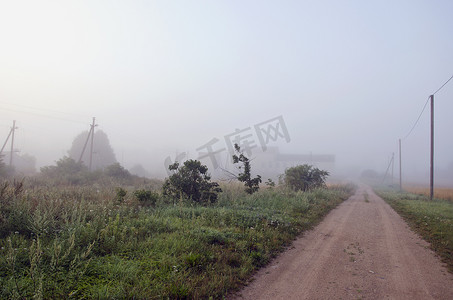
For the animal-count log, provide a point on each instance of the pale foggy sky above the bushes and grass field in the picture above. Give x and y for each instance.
(332, 83)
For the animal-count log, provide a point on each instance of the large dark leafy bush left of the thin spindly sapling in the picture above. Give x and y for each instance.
(191, 181)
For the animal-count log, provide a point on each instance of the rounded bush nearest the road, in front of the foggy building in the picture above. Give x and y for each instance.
(305, 177)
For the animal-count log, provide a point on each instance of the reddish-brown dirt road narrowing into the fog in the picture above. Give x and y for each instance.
(361, 250)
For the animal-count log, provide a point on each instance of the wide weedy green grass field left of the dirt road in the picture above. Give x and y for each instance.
(82, 243)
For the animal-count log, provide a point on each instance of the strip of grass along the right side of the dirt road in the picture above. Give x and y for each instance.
(433, 220)
